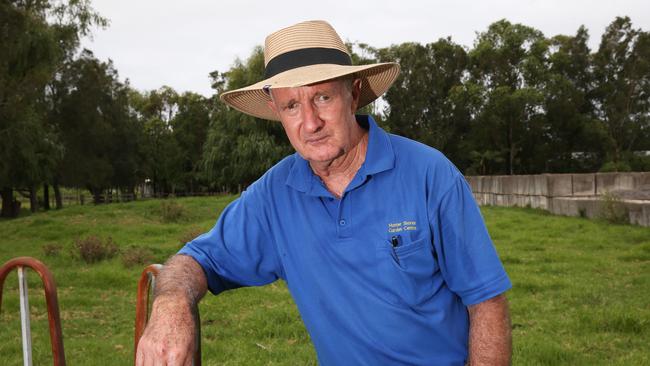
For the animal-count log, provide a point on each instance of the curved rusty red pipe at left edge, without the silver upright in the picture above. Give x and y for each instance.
(56, 335)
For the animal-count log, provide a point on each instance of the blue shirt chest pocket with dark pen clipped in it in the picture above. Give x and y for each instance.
(406, 272)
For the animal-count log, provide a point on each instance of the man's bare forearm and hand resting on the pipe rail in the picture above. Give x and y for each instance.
(169, 338)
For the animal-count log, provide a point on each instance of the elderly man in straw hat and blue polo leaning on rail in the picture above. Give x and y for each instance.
(377, 237)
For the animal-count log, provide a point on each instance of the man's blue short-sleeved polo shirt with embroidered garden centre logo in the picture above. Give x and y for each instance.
(363, 300)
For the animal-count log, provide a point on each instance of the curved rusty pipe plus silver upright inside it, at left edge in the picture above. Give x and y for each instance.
(56, 335)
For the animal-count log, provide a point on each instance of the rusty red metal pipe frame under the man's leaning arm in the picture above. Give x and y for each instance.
(146, 286)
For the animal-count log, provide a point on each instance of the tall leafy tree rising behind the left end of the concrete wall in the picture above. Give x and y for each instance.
(507, 67)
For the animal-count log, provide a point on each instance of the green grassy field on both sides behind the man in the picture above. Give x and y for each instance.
(581, 291)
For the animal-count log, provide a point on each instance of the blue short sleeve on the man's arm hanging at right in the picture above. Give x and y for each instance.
(468, 260)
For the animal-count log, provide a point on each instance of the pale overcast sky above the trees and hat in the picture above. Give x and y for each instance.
(177, 43)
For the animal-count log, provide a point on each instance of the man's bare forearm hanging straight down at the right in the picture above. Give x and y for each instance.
(490, 339)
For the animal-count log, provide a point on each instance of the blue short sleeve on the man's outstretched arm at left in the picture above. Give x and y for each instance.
(238, 251)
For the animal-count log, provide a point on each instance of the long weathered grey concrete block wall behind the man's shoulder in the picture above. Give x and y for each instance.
(567, 194)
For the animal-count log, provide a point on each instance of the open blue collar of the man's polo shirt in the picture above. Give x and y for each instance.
(379, 157)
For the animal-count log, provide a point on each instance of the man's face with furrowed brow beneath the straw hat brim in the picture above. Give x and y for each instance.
(319, 119)
